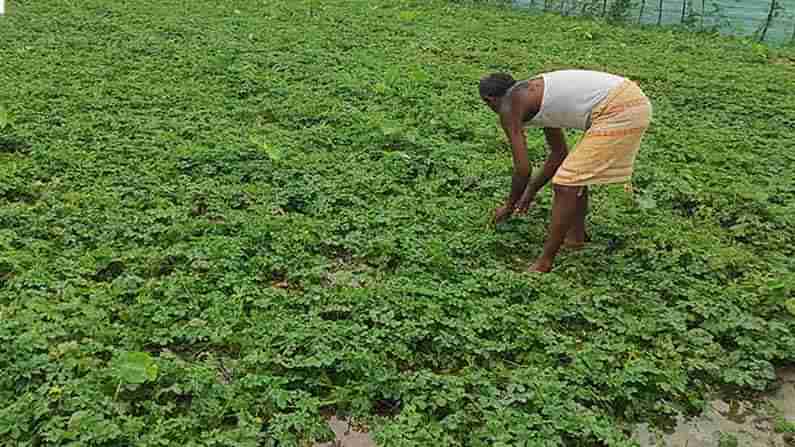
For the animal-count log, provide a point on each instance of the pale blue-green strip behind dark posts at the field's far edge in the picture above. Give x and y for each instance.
(738, 17)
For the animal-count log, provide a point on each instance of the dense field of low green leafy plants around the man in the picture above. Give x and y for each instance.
(222, 221)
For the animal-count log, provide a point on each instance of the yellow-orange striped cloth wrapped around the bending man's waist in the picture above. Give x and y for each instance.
(606, 153)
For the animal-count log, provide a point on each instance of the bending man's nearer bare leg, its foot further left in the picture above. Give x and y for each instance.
(564, 212)
